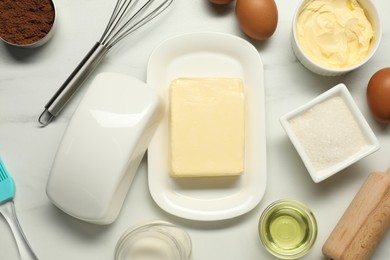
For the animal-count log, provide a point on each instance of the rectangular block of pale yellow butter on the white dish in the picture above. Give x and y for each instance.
(207, 127)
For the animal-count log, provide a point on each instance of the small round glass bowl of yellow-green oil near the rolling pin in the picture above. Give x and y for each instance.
(287, 229)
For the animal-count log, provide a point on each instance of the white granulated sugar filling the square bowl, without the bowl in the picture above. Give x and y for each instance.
(328, 133)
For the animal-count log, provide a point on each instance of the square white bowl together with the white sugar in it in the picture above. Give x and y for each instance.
(329, 133)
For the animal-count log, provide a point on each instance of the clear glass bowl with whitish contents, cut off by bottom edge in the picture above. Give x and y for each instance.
(154, 240)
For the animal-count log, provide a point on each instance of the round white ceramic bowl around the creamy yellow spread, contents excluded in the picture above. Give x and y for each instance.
(317, 68)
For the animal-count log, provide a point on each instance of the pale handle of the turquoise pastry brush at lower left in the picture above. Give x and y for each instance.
(9, 213)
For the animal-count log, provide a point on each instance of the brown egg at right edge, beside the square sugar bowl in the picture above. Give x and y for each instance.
(378, 95)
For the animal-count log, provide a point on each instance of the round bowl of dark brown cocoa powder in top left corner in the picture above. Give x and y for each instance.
(27, 23)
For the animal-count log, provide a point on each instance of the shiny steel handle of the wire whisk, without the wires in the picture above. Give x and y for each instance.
(72, 83)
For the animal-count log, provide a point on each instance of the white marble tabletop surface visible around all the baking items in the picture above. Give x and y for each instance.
(28, 78)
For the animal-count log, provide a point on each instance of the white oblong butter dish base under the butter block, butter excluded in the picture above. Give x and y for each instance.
(209, 55)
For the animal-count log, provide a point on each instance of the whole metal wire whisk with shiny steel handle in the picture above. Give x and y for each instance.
(127, 17)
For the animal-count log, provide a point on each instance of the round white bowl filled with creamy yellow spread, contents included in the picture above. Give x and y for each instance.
(332, 38)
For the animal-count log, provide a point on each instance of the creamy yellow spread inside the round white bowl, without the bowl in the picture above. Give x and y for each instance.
(335, 33)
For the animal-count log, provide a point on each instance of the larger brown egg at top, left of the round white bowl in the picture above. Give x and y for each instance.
(257, 18)
